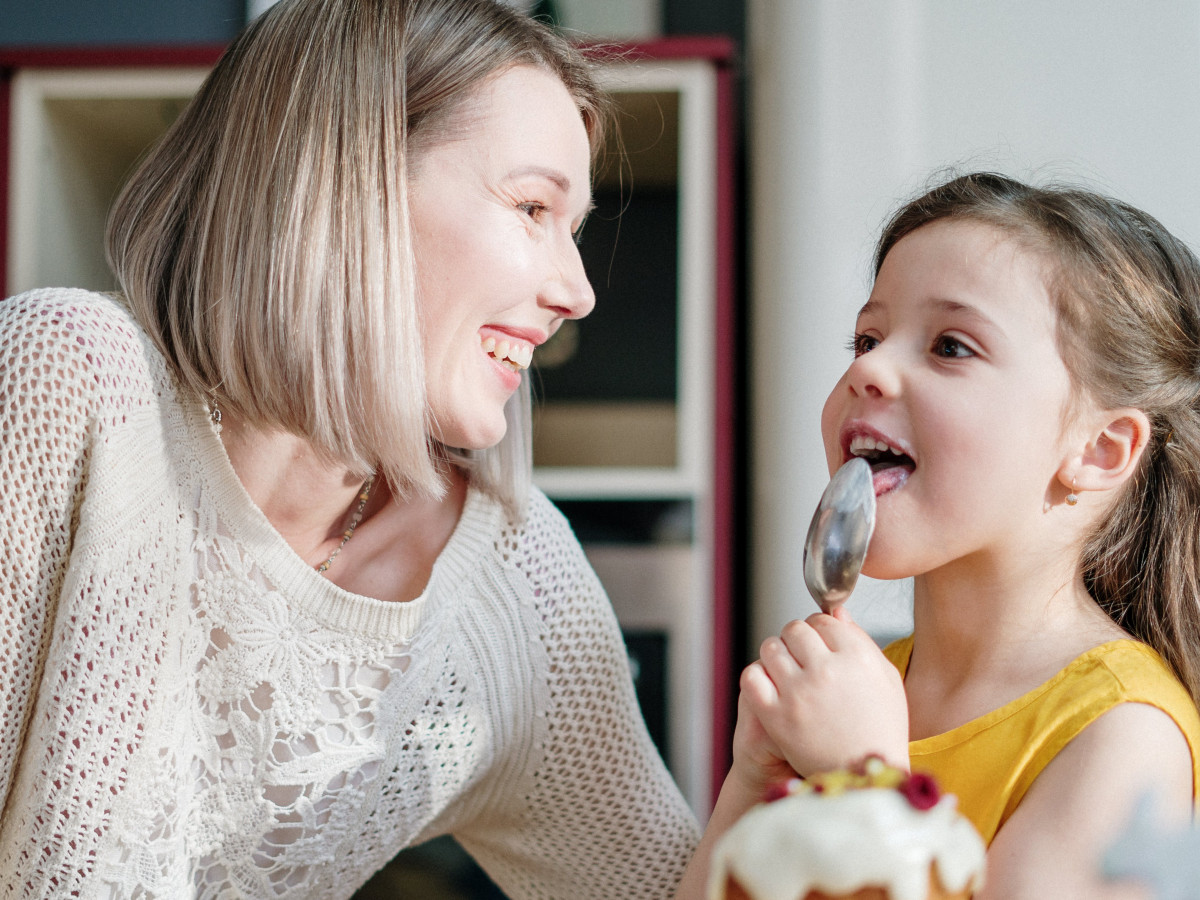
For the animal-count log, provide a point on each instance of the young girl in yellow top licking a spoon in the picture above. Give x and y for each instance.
(1025, 386)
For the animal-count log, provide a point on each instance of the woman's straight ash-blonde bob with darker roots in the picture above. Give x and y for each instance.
(265, 243)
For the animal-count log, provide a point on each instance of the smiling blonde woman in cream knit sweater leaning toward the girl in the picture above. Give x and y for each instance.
(283, 601)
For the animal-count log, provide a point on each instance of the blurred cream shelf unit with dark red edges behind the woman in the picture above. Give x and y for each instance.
(634, 406)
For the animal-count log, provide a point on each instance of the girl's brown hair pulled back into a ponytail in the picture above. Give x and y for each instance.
(1127, 297)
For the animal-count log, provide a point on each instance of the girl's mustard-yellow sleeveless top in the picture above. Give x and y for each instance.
(992, 761)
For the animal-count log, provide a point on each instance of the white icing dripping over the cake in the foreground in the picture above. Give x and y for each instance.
(842, 844)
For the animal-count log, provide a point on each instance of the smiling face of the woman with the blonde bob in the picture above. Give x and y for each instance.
(495, 213)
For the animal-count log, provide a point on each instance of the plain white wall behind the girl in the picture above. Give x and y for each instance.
(854, 105)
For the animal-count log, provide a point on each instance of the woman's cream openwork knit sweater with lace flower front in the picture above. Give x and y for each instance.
(189, 710)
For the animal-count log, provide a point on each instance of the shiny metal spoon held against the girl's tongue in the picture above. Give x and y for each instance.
(839, 535)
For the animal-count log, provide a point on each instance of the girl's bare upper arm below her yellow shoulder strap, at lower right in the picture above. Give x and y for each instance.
(1077, 808)
